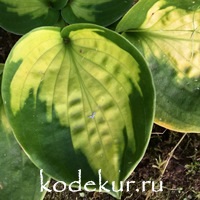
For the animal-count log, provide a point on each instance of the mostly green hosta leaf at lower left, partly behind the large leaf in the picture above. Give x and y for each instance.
(19, 177)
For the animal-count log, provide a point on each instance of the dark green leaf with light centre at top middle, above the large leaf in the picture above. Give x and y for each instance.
(102, 12)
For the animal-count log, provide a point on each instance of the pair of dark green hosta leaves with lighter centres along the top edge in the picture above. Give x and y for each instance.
(19, 16)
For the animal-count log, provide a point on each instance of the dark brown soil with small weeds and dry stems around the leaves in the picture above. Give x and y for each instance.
(181, 179)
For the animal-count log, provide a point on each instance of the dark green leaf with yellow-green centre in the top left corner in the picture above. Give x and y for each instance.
(21, 16)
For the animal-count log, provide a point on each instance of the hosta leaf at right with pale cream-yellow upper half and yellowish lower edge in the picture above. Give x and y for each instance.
(168, 35)
